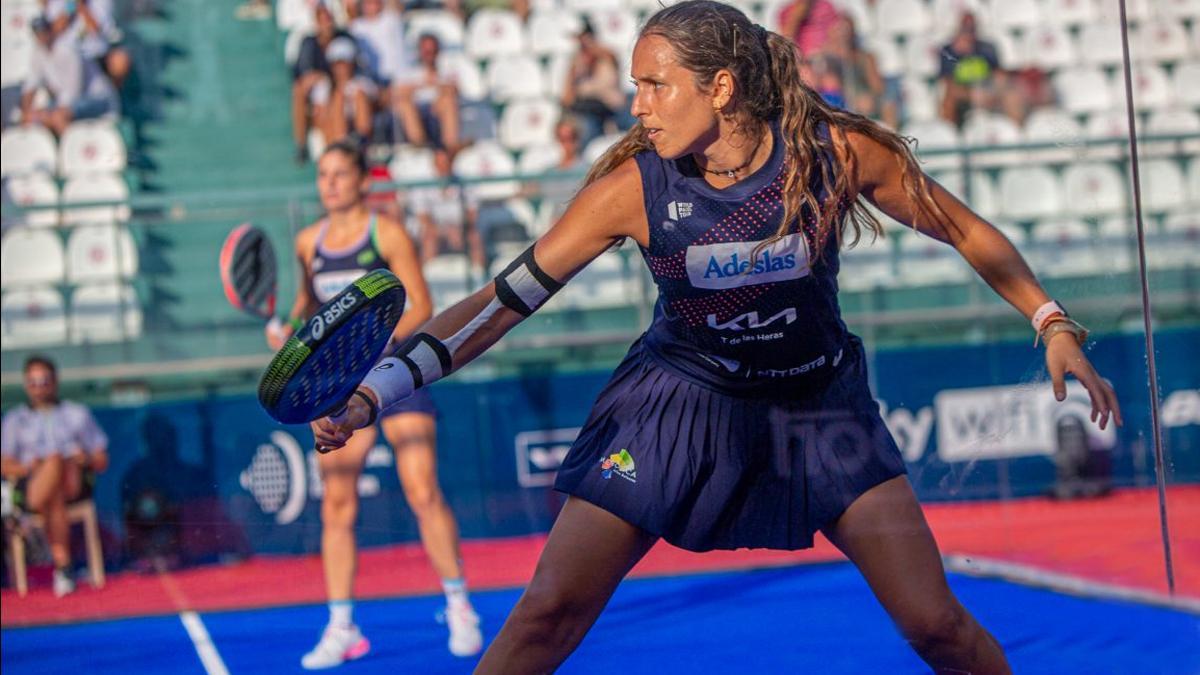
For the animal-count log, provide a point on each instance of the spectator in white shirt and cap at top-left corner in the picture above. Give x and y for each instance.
(77, 88)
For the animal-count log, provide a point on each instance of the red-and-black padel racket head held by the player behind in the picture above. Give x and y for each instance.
(249, 271)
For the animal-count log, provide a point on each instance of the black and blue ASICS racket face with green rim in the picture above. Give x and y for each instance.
(323, 363)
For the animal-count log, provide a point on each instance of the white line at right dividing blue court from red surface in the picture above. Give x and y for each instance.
(1070, 584)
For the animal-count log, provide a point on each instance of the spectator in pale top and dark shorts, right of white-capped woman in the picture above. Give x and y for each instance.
(427, 101)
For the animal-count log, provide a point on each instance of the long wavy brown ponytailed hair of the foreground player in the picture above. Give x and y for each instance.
(711, 37)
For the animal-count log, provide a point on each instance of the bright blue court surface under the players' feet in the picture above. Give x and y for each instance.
(812, 619)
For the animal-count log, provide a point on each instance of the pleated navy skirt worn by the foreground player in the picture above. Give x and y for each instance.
(706, 470)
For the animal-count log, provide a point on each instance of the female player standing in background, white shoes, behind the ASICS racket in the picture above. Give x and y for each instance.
(346, 244)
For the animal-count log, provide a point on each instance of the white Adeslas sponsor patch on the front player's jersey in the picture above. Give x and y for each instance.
(734, 265)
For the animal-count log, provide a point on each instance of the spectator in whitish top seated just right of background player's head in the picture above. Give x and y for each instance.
(448, 213)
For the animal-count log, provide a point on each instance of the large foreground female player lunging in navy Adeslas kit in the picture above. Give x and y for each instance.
(742, 417)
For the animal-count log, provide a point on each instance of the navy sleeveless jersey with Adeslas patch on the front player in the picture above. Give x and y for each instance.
(766, 324)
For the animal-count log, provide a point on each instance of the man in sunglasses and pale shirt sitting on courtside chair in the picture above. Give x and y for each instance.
(51, 451)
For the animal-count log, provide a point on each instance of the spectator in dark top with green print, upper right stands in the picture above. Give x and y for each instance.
(973, 79)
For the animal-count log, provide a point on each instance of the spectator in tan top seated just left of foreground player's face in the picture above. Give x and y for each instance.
(592, 92)
